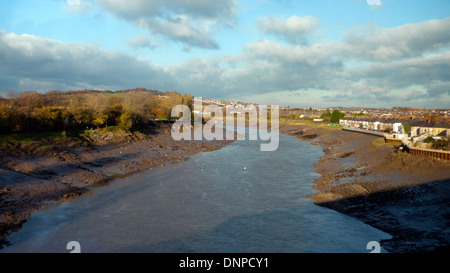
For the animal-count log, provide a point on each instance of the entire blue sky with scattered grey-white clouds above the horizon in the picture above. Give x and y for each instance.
(299, 53)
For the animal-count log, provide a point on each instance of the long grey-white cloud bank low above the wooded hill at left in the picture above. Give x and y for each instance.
(31, 62)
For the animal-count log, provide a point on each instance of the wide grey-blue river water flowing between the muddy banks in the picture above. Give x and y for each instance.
(205, 204)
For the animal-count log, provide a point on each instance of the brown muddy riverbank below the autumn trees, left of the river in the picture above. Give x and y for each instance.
(38, 174)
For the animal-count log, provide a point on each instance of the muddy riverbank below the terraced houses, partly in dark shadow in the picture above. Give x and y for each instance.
(404, 195)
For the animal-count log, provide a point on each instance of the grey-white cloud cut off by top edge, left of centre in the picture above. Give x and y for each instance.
(191, 23)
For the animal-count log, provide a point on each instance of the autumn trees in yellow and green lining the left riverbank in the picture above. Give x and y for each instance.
(32, 112)
